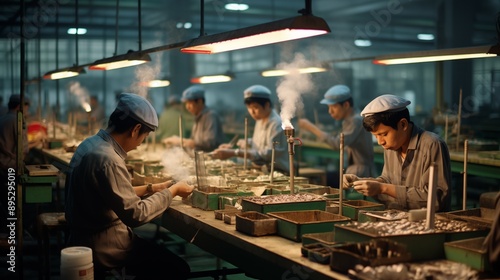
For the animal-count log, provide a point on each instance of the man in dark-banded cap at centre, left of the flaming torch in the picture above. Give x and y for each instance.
(267, 131)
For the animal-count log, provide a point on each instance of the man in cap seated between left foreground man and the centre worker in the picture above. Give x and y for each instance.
(206, 134)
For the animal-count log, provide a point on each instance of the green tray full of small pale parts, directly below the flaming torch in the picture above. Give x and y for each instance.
(315, 203)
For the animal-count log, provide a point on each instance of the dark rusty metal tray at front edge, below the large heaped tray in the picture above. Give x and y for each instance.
(374, 252)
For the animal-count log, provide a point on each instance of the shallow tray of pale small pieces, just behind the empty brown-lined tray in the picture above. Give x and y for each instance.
(283, 202)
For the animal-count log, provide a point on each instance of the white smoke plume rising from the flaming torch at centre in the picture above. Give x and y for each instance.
(291, 88)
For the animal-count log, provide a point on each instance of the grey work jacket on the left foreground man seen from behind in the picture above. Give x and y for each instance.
(101, 205)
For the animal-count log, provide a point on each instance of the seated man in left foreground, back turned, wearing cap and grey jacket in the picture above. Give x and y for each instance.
(102, 207)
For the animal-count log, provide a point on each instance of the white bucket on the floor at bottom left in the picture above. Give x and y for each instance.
(76, 264)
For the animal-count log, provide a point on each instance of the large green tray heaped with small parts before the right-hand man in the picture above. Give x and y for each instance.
(422, 243)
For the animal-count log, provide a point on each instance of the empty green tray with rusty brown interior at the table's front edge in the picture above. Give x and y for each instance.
(293, 224)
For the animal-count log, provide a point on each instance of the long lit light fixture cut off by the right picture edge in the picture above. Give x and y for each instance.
(438, 55)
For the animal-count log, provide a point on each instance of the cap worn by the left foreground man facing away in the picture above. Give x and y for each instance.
(138, 108)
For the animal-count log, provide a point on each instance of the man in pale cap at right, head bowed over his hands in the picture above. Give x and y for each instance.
(409, 151)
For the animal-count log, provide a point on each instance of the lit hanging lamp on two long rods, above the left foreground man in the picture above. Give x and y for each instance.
(131, 58)
